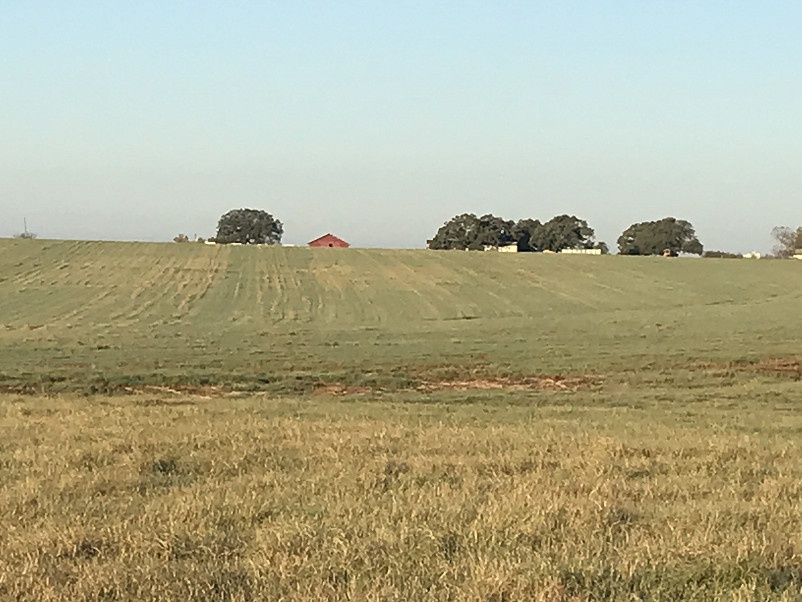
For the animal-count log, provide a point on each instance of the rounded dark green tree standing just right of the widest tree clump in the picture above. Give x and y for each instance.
(653, 238)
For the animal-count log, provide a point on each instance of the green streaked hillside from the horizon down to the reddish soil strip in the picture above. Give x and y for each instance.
(79, 315)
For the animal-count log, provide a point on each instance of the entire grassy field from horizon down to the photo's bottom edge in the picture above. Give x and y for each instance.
(205, 423)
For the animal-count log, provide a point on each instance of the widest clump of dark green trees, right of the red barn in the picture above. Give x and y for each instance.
(467, 231)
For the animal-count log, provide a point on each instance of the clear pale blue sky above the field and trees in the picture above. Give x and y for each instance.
(380, 120)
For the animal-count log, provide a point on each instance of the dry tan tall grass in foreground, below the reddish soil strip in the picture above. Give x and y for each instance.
(233, 500)
